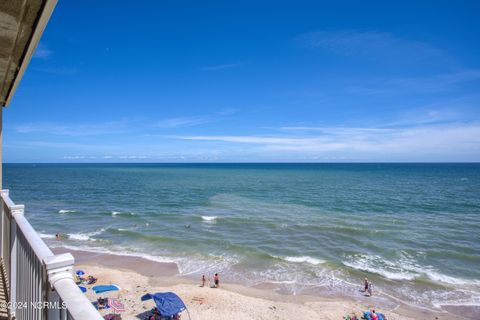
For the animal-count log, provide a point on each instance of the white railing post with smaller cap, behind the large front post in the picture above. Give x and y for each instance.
(15, 210)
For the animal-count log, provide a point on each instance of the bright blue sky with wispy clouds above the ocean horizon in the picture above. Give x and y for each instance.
(251, 81)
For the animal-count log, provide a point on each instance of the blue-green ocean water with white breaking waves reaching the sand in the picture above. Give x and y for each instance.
(412, 228)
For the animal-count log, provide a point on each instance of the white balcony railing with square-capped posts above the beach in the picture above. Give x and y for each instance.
(38, 284)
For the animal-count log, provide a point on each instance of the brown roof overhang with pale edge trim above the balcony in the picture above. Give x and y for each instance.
(21, 25)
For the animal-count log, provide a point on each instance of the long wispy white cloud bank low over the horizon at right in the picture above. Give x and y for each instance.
(420, 143)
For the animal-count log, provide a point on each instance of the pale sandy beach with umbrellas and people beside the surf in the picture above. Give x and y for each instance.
(137, 276)
